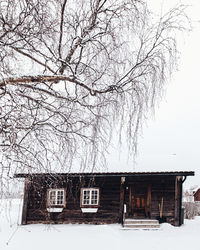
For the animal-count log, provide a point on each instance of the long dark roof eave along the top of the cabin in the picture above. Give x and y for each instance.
(102, 174)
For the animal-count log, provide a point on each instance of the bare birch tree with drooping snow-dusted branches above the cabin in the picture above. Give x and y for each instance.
(73, 71)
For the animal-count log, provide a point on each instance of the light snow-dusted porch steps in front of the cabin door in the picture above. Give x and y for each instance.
(141, 224)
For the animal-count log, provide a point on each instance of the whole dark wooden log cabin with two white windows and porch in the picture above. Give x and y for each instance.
(101, 198)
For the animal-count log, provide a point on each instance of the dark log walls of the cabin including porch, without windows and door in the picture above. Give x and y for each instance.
(113, 194)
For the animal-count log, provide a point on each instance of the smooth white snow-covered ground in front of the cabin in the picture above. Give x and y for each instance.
(111, 237)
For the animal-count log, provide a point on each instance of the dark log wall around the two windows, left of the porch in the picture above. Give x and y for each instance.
(108, 211)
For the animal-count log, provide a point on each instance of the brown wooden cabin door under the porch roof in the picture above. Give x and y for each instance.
(138, 201)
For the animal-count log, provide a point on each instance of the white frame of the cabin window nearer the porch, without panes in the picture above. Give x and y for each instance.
(90, 205)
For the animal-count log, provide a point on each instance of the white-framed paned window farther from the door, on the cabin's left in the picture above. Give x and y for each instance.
(56, 197)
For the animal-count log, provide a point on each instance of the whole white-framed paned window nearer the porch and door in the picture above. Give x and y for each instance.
(90, 196)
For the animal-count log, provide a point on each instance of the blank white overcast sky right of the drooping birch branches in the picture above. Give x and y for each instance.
(171, 140)
